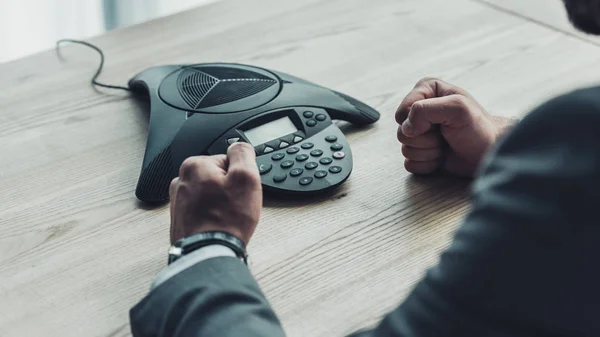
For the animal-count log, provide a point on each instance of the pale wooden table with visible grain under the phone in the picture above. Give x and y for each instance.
(77, 250)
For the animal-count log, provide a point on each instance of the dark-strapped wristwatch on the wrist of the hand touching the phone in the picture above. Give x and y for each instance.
(191, 243)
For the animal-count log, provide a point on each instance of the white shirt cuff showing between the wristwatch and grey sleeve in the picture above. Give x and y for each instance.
(189, 260)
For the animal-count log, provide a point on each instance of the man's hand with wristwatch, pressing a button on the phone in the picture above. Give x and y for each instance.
(220, 192)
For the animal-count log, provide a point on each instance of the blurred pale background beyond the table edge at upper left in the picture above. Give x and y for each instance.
(30, 26)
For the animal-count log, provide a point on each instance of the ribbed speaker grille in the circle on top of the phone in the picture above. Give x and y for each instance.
(205, 87)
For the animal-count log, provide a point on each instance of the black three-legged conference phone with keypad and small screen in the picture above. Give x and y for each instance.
(201, 109)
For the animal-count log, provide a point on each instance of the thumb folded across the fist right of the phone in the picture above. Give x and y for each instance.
(451, 111)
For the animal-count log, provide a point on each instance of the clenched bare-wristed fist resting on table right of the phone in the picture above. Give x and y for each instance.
(442, 126)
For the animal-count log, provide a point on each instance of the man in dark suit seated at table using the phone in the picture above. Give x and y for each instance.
(524, 262)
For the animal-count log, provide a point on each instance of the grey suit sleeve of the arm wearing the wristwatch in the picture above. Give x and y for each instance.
(216, 297)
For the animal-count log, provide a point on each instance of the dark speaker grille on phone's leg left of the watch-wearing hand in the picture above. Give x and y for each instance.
(153, 185)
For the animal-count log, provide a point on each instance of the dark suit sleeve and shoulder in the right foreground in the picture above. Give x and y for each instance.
(525, 262)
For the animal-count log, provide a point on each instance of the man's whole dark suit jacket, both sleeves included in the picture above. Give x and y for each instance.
(525, 262)
